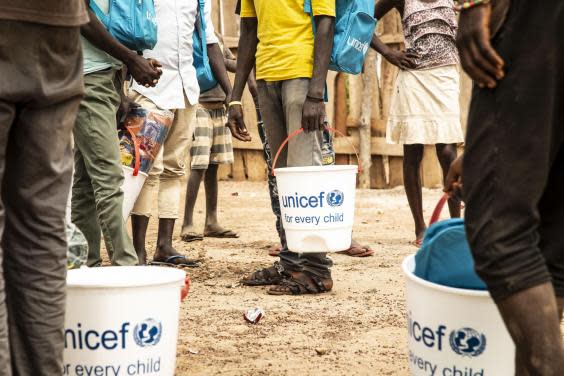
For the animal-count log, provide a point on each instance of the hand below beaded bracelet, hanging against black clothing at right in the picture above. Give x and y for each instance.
(478, 58)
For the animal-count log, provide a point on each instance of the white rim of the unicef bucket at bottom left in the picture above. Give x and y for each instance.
(112, 277)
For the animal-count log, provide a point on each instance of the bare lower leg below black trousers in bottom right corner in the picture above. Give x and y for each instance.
(531, 316)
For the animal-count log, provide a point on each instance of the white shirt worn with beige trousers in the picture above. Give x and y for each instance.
(175, 25)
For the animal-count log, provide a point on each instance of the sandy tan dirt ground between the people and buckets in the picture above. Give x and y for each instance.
(356, 329)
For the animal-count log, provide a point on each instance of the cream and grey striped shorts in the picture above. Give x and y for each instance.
(212, 139)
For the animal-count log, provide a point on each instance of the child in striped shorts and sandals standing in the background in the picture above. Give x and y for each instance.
(211, 147)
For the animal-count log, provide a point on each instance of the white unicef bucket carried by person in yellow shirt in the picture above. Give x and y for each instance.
(317, 205)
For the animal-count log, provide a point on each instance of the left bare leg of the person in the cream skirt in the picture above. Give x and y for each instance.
(413, 155)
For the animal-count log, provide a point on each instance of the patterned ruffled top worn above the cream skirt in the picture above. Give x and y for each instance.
(430, 29)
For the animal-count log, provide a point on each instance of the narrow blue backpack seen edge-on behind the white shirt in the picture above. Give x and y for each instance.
(206, 79)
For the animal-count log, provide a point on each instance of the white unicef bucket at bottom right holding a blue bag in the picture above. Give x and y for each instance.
(454, 332)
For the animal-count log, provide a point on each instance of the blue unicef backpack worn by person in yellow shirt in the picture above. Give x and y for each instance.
(354, 27)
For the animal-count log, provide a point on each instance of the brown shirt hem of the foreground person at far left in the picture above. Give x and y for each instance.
(49, 12)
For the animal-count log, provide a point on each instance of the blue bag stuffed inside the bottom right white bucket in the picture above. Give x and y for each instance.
(445, 258)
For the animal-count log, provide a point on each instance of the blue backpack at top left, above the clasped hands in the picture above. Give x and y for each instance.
(132, 22)
